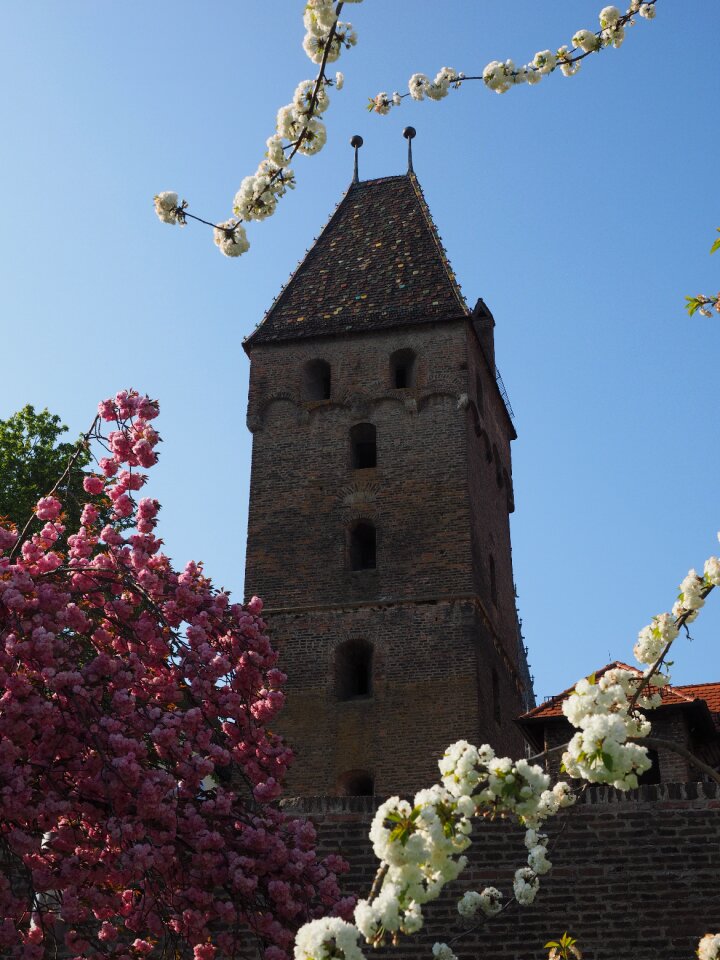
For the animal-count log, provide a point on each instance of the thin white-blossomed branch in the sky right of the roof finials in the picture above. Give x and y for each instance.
(500, 76)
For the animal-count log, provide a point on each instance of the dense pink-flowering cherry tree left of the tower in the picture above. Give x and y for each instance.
(137, 771)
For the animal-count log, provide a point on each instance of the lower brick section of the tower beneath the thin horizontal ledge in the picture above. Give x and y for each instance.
(432, 668)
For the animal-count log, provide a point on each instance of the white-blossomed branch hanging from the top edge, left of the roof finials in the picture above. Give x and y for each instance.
(298, 129)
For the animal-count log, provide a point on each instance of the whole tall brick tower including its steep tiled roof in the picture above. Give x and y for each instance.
(380, 491)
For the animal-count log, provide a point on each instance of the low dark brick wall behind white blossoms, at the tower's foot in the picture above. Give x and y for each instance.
(634, 876)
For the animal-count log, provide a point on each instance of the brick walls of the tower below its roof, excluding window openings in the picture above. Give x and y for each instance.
(439, 626)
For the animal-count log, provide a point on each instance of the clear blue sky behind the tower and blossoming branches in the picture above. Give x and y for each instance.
(581, 210)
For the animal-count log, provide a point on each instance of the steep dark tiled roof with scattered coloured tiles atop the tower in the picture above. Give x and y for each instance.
(378, 263)
